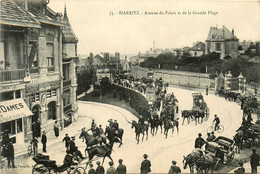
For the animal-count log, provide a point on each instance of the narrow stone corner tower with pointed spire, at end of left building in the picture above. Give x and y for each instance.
(69, 63)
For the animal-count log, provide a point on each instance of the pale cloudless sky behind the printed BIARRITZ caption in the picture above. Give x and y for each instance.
(98, 31)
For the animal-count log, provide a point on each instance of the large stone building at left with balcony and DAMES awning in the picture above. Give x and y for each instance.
(31, 68)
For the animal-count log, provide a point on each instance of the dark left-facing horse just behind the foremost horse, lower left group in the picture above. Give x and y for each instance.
(91, 140)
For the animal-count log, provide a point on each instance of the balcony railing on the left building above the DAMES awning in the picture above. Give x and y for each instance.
(9, 75)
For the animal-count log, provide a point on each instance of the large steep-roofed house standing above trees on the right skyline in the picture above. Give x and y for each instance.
(222, 41)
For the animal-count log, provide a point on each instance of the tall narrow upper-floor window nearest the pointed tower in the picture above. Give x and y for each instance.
(50, 52)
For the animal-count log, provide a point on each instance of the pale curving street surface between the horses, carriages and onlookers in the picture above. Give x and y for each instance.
(161, 151)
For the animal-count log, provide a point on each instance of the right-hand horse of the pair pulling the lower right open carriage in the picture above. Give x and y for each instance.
(206, 163)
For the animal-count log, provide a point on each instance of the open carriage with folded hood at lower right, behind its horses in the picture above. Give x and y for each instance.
(225, 145)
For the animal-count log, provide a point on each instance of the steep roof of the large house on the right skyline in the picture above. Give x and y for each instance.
(220, 34)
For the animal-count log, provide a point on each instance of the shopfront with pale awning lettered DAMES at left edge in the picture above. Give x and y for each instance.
(12, 115)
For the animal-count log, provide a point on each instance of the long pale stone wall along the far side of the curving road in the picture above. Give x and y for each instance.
(182, 78)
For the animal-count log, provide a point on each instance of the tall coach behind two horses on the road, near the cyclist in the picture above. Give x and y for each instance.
(200, 105)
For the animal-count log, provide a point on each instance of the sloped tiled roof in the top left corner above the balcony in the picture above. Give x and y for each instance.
(12, 14)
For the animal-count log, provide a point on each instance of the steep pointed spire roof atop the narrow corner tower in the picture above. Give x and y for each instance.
(67, 33)
